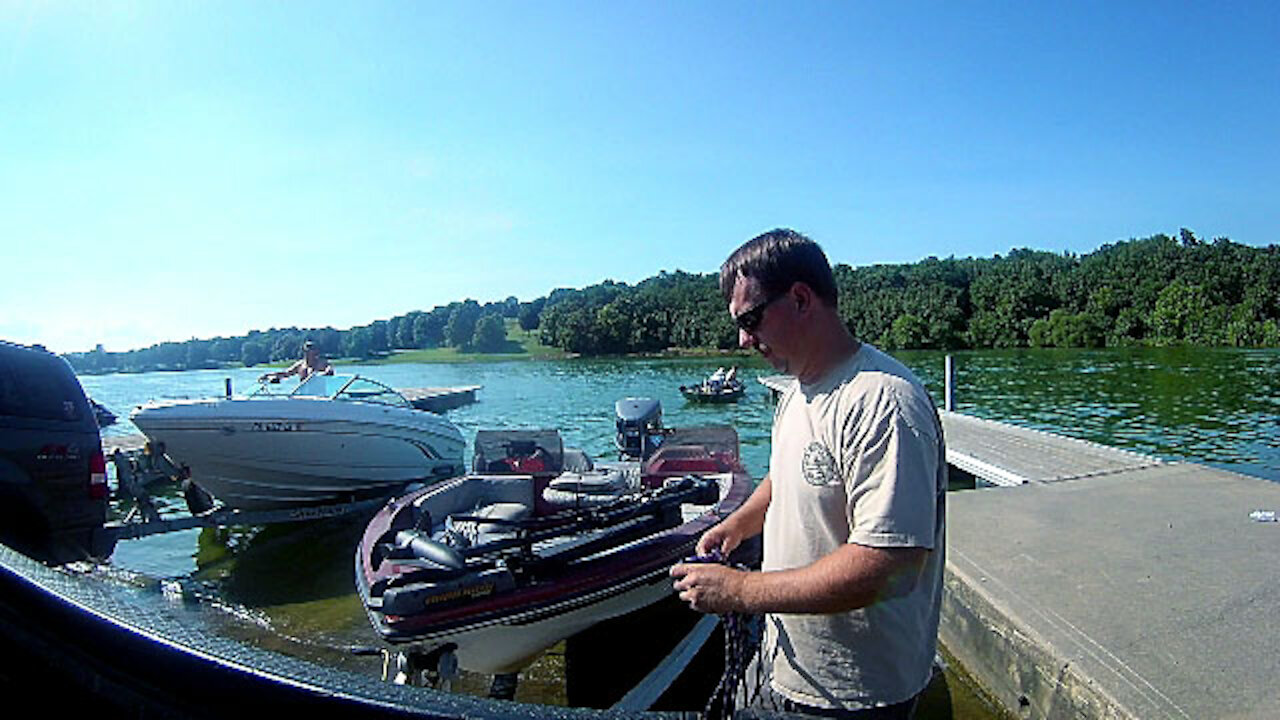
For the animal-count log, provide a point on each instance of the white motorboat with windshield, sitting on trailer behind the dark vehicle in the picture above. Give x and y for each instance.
(333, 439)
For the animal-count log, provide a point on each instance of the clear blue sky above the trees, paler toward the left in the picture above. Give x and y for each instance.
(196, 170)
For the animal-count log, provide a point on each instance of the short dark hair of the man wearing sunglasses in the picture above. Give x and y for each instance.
(779, 259)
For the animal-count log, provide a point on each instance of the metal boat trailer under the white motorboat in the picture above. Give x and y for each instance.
(140, 472)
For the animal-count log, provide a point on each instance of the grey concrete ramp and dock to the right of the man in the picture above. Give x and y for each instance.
(1090, 582)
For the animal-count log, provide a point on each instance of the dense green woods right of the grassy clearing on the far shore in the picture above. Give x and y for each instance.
(1155, 291)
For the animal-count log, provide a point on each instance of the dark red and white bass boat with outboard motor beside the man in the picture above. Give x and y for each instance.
(540, 543)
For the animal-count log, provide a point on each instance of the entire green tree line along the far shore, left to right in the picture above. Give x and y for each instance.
(1160, 290)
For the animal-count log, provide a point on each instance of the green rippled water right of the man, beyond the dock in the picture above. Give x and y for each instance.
(1217, 407)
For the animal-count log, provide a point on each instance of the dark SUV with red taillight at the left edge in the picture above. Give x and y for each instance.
(53, 476)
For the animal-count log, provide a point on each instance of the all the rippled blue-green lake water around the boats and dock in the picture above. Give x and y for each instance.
(295, 584)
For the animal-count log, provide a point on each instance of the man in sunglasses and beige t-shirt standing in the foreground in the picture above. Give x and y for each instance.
(852, 509)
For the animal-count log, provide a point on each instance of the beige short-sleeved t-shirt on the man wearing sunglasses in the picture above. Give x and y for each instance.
(857, 458)
